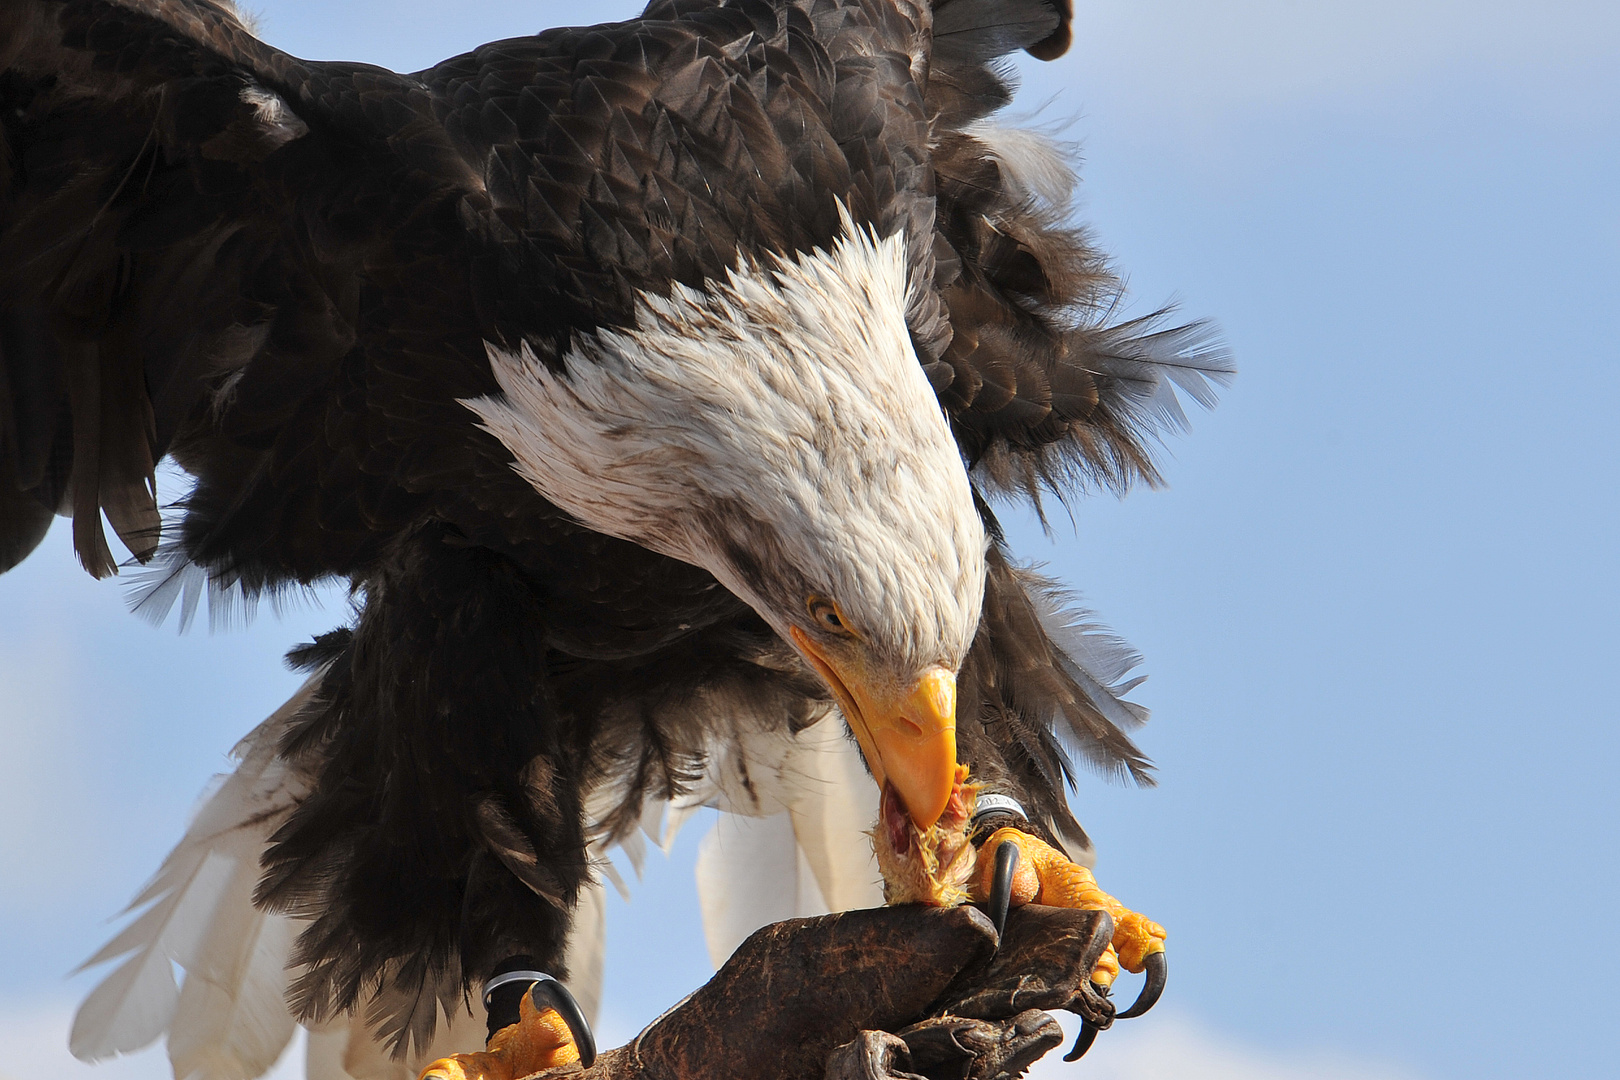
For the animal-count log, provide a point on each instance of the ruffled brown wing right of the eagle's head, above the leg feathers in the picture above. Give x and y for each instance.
(1046, 391)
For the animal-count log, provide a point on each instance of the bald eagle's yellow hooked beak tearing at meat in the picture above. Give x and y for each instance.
(906, 733)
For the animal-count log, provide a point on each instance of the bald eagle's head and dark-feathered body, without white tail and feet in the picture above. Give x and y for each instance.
(649, 383)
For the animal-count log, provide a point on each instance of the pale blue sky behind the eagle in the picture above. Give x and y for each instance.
(1378, 600)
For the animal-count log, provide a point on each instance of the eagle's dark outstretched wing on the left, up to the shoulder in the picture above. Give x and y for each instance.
(205, 249)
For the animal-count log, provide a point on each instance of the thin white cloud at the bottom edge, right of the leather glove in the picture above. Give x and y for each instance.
(1169, 1047)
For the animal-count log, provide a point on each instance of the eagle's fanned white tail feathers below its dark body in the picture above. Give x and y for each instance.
(804, 812)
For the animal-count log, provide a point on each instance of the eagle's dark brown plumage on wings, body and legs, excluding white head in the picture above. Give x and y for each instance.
(284, 273)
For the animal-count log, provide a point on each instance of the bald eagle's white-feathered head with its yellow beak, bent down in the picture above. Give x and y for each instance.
(777, 430)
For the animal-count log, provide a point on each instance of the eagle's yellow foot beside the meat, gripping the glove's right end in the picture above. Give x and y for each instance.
(1047, 877)
